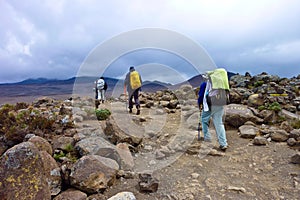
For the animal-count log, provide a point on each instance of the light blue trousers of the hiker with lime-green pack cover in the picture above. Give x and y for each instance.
(216, 112)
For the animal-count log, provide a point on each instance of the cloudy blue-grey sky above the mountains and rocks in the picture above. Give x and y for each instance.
(57, 38)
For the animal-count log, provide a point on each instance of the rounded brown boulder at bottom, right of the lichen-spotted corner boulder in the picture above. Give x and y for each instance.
(91, 174)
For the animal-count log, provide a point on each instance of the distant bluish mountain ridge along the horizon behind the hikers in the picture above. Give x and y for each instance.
(51, 87)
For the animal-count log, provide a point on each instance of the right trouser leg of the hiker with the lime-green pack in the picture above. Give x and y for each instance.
(217, 114)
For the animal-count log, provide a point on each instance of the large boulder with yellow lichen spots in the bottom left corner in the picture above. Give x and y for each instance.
(22, 174)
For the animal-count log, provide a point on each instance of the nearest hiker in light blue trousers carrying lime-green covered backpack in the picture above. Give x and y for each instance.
(215, 96)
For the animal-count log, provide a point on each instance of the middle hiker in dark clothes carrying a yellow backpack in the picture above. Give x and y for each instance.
(133, 83)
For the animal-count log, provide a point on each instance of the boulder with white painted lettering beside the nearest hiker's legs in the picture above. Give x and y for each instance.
(236, 115)
